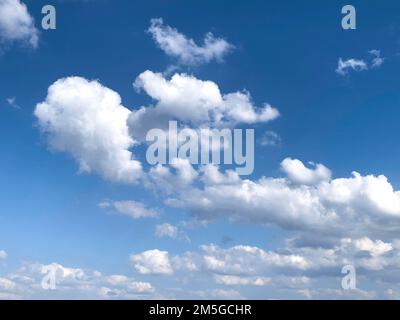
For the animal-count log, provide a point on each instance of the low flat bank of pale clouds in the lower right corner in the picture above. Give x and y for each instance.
(295, 269)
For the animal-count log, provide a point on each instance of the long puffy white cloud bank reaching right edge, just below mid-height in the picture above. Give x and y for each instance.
(356, 206)
